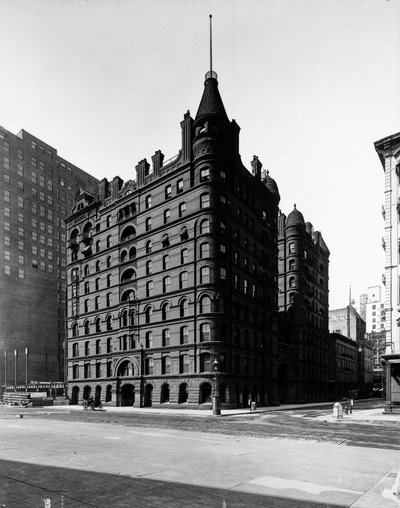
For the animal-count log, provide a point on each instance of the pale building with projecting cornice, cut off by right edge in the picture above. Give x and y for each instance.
(388, 150)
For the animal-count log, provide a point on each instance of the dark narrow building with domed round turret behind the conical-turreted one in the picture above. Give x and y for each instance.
(303, 283)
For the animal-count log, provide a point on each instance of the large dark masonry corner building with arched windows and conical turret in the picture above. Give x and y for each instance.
(173, 275)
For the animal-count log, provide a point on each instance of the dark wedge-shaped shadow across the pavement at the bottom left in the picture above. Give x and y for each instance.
(24, 485)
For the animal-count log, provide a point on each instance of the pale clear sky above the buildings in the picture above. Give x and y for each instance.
(312, 84)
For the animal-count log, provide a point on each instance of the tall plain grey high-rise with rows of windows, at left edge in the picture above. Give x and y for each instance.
(37, 192)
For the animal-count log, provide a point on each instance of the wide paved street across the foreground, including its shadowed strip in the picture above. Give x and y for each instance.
(66, 463)
